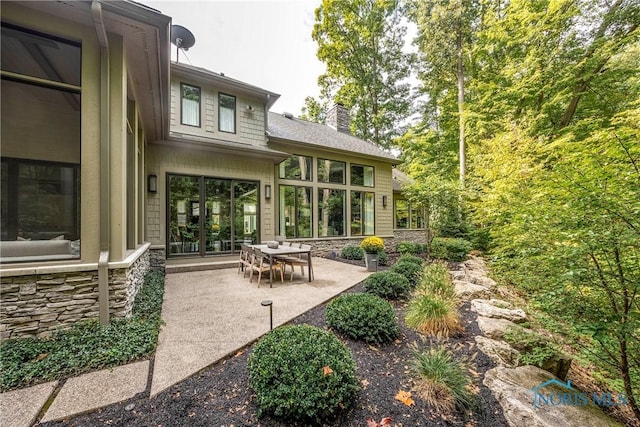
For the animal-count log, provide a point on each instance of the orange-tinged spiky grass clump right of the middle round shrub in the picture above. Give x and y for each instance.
(433, 315)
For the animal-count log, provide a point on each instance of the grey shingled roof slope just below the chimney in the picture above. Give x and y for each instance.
(303, 132)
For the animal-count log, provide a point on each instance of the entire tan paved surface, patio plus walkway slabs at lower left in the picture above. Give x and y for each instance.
(209, 315)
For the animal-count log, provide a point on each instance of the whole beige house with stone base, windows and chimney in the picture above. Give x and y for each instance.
(120, 161)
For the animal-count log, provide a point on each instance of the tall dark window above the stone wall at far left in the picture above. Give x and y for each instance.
(40, 135)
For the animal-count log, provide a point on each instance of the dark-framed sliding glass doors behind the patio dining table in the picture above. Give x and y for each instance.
(209, 216)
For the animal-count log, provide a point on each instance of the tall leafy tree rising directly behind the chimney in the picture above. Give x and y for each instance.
(361, 42)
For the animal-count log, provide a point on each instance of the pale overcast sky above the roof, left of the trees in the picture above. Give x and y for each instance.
(266, 43)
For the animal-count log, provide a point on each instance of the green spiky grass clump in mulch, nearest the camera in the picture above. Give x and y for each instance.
(443, 381)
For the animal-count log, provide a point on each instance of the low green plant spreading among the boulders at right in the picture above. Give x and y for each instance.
(535, 349)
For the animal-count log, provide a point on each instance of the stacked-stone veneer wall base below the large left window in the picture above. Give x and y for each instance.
(37, 305)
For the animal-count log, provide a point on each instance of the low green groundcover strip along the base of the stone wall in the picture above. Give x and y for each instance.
(86, 346)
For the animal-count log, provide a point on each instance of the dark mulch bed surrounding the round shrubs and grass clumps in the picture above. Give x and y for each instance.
(220, 395)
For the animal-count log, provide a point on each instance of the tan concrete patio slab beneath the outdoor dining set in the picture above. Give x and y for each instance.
(210, 314)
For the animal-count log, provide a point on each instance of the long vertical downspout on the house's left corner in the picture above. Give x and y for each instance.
(105, 106)
